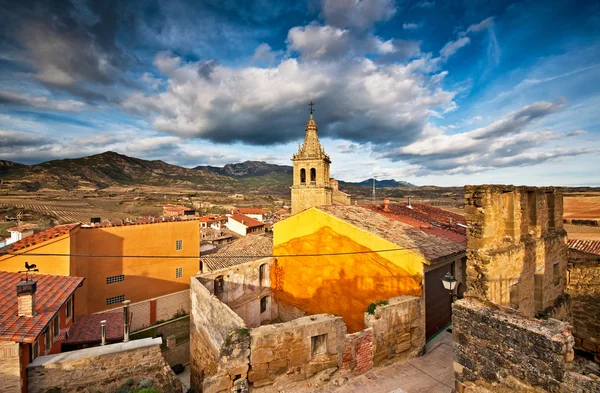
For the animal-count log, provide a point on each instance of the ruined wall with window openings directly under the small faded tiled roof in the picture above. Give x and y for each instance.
(243, 290)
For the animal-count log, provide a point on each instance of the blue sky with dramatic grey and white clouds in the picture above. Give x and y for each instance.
(432, 92)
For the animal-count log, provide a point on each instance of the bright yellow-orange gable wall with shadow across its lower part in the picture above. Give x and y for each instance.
(338, 284)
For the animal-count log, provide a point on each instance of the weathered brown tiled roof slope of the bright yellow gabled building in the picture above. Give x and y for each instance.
(430, 244)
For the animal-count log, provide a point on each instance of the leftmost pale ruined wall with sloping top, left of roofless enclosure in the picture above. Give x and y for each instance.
(211, 322)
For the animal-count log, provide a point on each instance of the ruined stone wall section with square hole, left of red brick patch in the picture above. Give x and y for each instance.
(295, 350)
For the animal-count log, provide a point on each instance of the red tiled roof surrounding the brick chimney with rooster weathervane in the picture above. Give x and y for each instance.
(52, 292)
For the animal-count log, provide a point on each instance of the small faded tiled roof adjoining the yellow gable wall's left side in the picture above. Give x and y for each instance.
(246, 249)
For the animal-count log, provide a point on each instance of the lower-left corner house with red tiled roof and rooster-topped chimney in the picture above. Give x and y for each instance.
(35, 312)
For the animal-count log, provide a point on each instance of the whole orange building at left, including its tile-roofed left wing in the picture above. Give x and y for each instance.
(133, 261)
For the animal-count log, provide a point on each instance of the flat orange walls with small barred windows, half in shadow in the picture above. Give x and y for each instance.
(145, 278)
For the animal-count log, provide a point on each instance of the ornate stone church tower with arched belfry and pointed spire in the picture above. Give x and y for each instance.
(311, 172)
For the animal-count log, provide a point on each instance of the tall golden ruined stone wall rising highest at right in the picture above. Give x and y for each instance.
(516, 246)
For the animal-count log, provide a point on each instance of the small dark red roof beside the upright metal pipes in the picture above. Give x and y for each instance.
(86, 328)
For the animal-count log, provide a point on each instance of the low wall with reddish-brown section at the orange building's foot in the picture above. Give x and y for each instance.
(152, 311)
